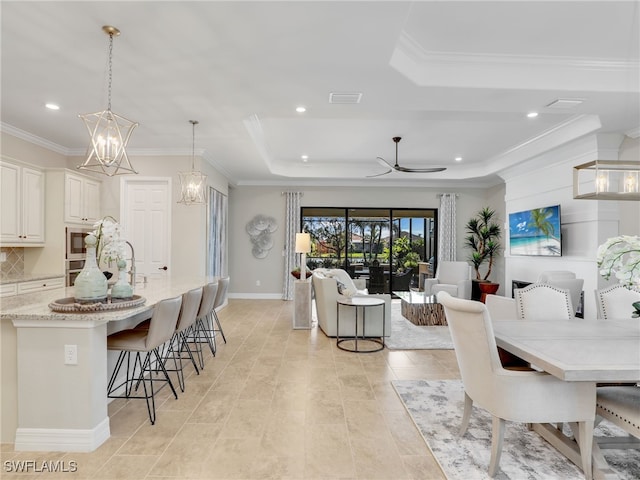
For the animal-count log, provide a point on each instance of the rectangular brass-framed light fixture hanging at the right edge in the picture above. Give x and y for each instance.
(607, 180)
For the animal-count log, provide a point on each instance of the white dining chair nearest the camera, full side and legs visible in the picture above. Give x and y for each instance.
(517, 396)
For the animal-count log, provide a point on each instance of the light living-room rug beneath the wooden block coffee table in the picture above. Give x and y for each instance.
(407, 336)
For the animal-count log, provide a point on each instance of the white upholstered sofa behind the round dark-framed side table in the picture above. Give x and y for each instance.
(325, 286)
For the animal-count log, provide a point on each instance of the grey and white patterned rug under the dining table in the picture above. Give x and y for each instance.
(436, 409)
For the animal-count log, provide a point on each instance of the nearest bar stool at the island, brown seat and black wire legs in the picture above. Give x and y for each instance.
(148, 342)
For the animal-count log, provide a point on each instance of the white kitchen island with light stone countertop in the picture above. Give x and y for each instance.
(50, 403)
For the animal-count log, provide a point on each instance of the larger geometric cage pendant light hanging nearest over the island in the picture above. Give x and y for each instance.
(109, 132)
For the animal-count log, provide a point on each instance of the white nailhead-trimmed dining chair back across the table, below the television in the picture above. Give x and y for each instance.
(541, 301)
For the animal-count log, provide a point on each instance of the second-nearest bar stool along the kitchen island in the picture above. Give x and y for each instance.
(180, 341)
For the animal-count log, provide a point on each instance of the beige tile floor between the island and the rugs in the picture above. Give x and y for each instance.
(274, 403)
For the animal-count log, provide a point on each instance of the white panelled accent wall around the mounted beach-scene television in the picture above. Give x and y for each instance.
(548, 180)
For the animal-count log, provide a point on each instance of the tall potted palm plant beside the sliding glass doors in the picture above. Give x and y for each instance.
(483, 239)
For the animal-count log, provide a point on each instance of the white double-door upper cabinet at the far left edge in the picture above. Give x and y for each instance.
(22, 205)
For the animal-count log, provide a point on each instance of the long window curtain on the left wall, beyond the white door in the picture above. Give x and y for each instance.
(217, 234)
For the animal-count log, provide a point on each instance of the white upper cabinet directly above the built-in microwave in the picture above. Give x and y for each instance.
(81, 199)
